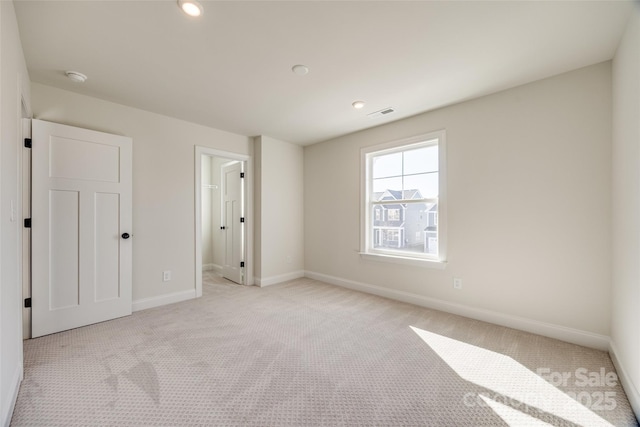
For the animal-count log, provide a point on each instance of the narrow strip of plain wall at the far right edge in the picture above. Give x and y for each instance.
(625, 334)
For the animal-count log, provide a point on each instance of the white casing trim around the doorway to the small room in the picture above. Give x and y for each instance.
(248, 194)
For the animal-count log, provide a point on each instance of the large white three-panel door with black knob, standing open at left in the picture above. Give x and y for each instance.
(80, 227)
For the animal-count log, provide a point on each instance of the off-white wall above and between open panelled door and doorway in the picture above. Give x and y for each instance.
(163, 181)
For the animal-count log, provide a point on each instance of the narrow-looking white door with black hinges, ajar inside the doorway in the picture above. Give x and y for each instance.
(232, 212)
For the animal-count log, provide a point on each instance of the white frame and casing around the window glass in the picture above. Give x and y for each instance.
(367, 251)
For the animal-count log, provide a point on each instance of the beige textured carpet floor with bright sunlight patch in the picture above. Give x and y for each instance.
(307, 353)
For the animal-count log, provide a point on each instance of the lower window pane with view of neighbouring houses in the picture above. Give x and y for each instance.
(414, 231)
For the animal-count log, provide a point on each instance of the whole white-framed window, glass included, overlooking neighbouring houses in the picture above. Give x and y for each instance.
(406, 179)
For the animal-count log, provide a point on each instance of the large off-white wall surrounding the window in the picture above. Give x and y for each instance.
(528, 208)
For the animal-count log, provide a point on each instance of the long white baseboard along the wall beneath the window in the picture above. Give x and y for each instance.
(563, 333)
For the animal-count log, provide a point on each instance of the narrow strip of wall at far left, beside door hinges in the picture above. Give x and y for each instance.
(14, 85)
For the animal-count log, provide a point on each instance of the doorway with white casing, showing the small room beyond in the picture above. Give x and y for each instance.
(223, 212)
